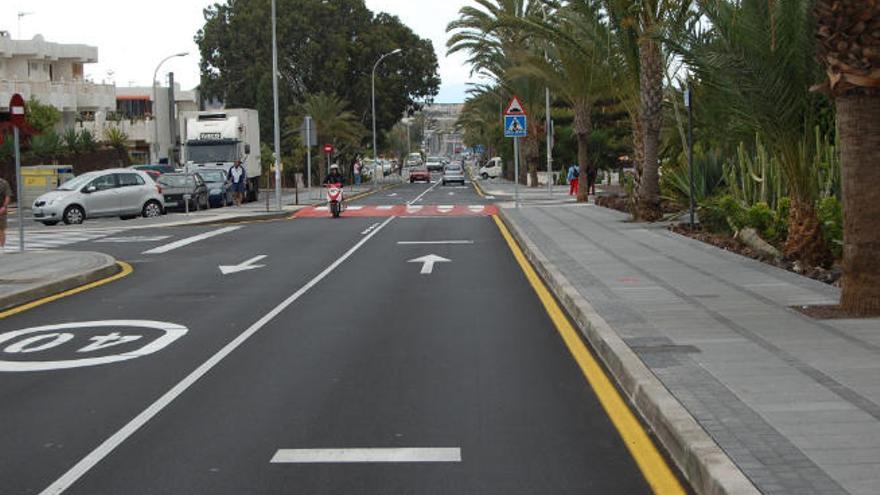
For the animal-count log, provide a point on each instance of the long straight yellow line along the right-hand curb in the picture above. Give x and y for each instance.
(652, 464)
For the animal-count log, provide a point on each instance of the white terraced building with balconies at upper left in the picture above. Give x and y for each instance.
(53, 74)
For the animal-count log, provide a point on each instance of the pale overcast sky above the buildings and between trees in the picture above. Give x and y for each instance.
(132, 36)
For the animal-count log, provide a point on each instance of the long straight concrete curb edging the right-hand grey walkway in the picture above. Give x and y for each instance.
(704, 464)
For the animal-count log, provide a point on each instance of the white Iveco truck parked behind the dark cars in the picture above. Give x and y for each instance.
(215, 139)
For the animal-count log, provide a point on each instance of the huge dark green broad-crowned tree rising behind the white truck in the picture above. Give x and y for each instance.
(323, 46)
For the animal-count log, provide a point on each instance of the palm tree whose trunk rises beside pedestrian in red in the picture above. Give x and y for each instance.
(576, 68)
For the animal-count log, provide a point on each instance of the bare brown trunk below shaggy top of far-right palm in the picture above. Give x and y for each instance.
(858, 125)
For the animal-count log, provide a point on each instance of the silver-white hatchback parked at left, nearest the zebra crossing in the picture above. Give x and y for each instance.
(125, 193)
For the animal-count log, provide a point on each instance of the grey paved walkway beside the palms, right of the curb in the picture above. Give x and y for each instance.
(793, 401)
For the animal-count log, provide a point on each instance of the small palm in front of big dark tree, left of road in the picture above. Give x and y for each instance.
(334, 123)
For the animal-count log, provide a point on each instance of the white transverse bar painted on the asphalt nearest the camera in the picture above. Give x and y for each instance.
(300, 456)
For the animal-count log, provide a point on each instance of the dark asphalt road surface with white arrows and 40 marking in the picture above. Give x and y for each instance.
(336, 342)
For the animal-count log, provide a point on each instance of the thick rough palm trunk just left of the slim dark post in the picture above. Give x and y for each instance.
(651, 90)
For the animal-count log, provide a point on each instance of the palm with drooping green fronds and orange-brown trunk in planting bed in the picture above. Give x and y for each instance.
(756, 58)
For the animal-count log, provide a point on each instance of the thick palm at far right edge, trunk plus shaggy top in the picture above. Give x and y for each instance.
(849, 49)
